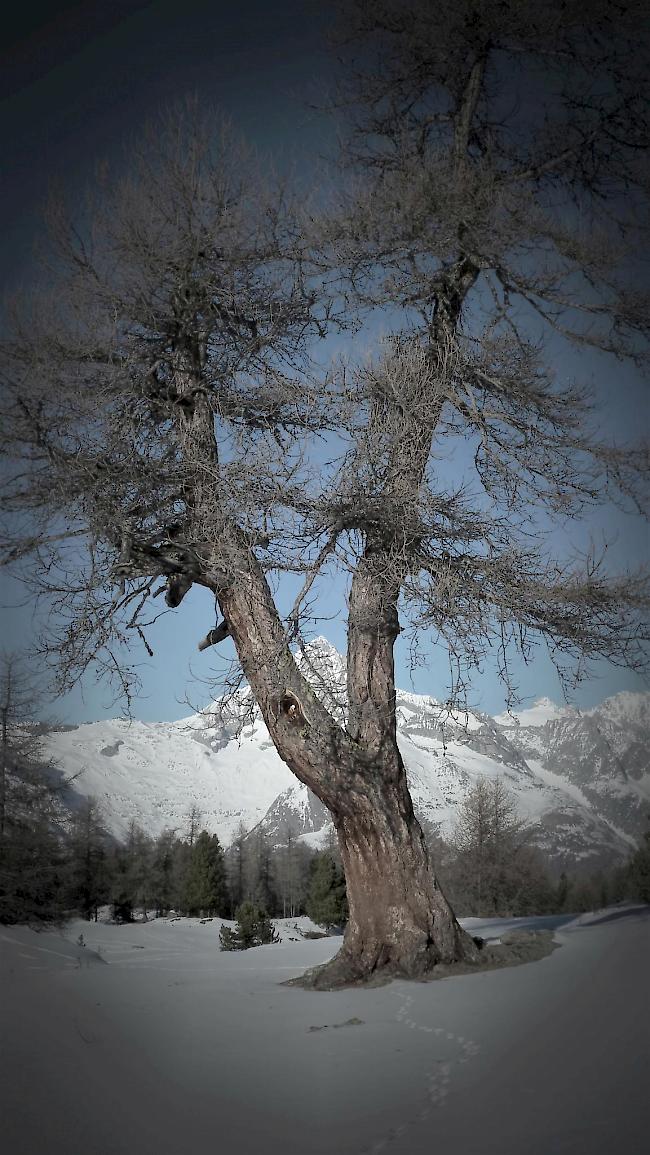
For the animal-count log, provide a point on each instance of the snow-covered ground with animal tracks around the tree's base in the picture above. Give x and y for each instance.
(150, 1040)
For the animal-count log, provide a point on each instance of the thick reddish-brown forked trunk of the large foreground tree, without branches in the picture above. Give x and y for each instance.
(400, 921)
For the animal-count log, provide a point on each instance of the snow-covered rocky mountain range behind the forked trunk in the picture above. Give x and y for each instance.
(581, 778)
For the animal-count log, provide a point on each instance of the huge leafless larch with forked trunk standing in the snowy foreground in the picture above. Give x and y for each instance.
(169, 426)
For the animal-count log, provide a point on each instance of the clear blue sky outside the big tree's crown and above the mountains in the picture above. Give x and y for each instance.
(77, 81)
